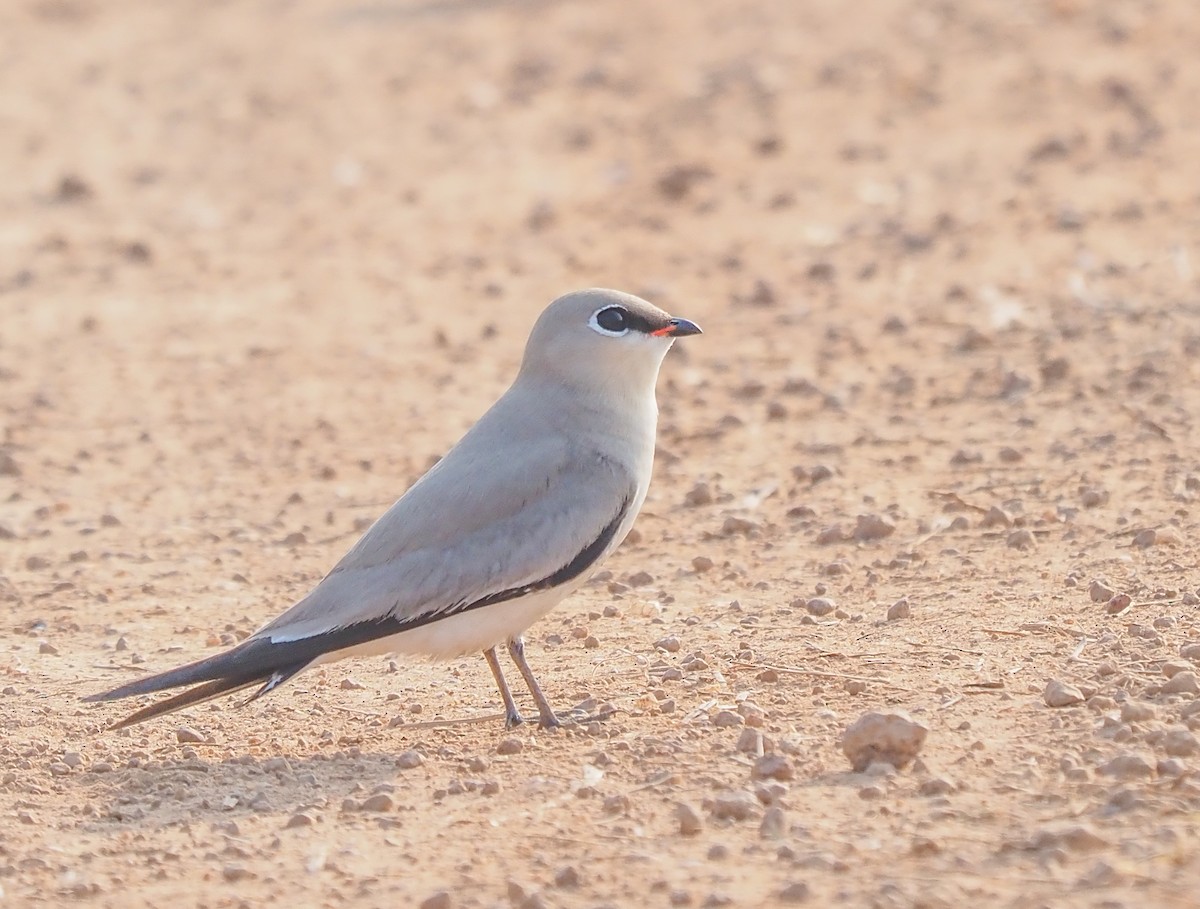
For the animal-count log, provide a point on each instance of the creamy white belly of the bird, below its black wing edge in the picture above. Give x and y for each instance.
(470, 633)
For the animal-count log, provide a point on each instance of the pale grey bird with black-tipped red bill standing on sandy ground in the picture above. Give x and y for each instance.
(514, 519)
